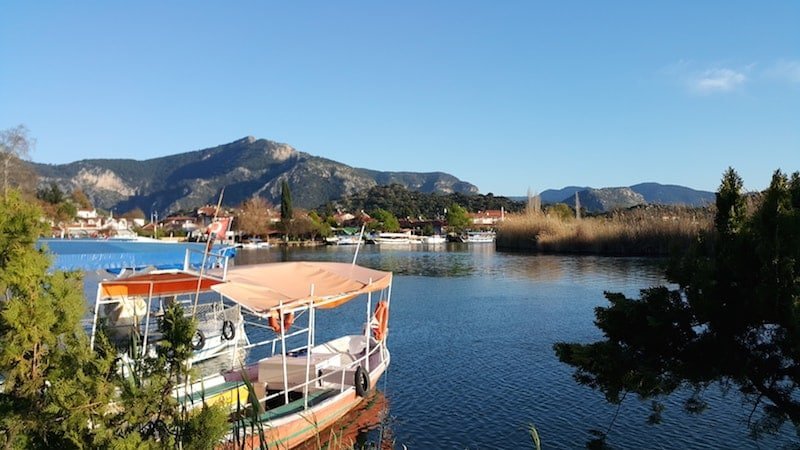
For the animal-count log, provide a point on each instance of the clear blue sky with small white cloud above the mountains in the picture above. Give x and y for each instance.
(507, 95)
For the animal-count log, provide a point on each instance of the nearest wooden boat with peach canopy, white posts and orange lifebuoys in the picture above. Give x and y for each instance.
(302, 389)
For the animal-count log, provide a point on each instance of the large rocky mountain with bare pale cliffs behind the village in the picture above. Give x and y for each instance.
(245, 168)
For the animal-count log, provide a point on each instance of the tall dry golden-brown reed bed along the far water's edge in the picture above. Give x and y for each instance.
(650, 231)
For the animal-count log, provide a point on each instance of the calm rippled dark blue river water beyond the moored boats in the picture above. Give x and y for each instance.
(471, 338)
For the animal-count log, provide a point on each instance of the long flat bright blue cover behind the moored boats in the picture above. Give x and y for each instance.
(98, 254)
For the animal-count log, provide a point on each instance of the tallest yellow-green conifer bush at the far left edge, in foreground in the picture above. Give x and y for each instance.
(54, 386)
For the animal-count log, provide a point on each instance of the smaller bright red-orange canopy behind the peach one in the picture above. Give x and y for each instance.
(164, 283)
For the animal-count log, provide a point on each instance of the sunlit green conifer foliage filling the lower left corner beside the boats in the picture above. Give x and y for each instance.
(60, 394)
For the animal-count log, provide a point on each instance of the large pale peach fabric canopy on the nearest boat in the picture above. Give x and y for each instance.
(263, 287)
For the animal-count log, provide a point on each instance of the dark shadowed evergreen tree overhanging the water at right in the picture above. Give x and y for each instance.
(734, 319)
